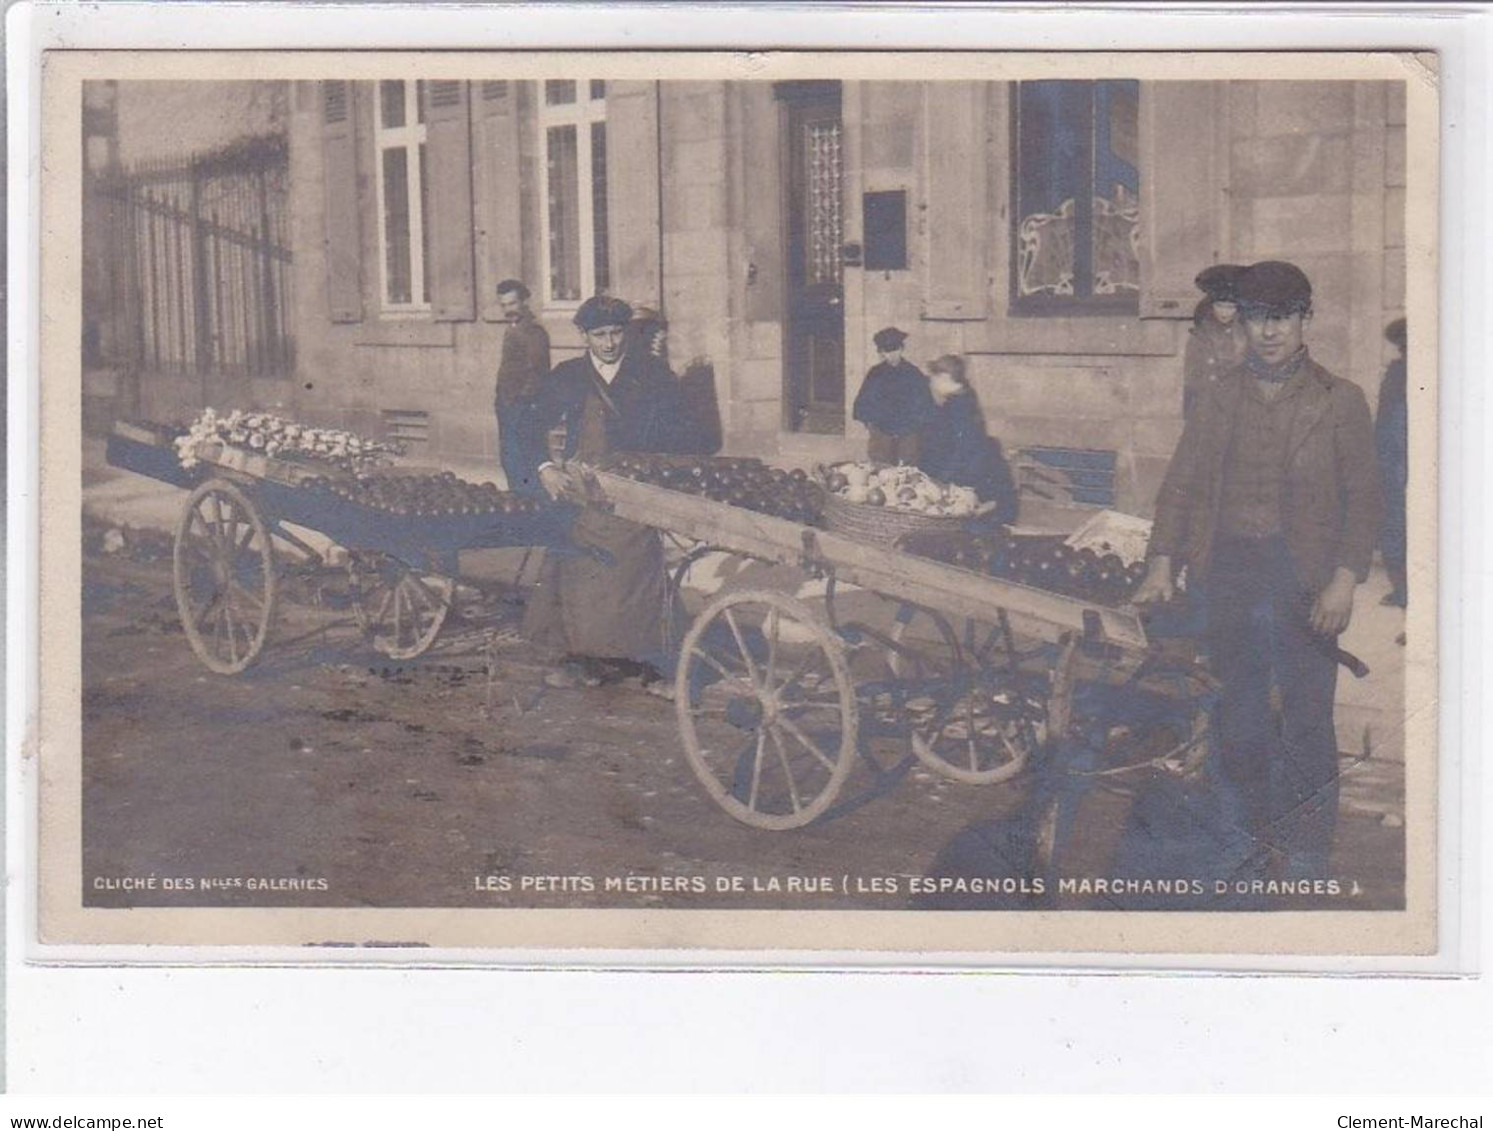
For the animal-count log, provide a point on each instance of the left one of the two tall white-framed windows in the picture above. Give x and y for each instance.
(404, 196)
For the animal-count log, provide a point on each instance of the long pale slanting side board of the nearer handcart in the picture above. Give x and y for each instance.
(889, 572)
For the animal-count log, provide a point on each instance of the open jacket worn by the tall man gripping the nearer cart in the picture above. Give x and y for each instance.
(1333, 505)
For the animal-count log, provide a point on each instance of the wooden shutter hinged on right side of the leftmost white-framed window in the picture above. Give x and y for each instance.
(449, 217)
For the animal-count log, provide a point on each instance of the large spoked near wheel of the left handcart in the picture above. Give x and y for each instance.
(223, 574)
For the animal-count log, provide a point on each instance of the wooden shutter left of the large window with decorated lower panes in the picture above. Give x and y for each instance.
(958, 268)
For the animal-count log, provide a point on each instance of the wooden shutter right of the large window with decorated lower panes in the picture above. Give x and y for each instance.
(1183, 202)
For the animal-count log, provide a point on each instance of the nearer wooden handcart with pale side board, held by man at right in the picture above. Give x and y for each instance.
(973, 677)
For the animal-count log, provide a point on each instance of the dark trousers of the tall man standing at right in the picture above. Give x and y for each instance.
(1277, 741)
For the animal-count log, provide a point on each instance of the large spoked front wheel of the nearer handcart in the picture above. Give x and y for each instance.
(767, 709)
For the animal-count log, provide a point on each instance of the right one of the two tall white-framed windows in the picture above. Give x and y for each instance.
(573, 138)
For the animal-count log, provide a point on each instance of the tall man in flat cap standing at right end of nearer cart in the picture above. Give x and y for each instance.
(1273, 505)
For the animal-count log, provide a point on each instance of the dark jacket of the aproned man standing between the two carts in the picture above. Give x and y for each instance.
(643, 417)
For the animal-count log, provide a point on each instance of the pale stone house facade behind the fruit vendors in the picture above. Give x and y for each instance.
(1312, 172)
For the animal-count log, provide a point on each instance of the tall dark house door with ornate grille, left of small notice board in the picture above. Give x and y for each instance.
(814, 229)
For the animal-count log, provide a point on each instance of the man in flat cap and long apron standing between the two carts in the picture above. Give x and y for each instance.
(602, 607)
